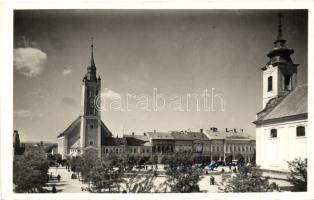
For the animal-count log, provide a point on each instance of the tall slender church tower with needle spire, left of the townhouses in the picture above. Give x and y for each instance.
(90, 135)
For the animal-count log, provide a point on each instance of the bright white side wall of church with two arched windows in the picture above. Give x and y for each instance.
(273, 153)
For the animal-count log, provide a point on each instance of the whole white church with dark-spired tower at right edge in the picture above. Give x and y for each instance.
(281, 127)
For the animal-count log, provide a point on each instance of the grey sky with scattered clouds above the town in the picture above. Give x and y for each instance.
(173, 52)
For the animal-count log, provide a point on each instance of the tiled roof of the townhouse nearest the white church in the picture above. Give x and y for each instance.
(228, 135)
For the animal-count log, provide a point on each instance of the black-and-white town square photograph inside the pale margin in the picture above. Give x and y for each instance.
(201, 101)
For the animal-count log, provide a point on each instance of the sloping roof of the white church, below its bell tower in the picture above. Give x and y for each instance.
(293, 104)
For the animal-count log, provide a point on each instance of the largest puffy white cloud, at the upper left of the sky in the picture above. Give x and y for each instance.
(29, 61)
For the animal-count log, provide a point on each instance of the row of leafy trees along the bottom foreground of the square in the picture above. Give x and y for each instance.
(120, 174)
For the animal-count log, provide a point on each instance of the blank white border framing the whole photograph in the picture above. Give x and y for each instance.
(6, 87)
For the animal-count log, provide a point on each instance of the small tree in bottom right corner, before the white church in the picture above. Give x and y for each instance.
(298, 174)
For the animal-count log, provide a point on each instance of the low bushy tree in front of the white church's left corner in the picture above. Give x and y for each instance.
(248, 179)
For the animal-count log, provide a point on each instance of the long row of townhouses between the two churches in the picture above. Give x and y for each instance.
(214, 144)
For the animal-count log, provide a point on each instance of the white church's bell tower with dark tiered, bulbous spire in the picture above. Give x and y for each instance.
(280, 73)
